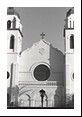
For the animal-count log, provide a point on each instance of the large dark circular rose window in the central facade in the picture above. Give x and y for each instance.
(41, 72)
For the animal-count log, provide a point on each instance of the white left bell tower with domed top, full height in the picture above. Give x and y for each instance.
(14, 47)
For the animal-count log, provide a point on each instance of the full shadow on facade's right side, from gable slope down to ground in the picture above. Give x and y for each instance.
(57, 68)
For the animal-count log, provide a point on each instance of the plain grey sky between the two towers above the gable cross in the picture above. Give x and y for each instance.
(49, 20)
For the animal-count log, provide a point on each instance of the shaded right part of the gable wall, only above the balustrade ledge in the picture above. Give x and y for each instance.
(57, 65)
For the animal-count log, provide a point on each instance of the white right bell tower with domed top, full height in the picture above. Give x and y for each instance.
(69, 54)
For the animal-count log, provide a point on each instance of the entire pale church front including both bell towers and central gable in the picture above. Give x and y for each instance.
(40, 76)
